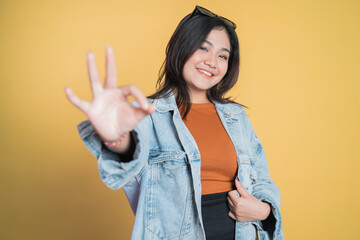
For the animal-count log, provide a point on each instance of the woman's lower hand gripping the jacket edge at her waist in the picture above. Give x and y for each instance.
(246, 208)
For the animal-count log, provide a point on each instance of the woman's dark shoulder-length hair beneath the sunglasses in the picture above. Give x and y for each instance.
(187, 38)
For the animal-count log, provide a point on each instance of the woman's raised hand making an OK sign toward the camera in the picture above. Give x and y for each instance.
(110, 112)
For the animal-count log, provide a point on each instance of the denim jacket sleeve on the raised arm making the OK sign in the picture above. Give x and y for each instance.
(114, 172)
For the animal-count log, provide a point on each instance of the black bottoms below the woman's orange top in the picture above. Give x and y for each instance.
(217, 223)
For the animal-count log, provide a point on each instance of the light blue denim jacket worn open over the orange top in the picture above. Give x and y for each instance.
(162, 182)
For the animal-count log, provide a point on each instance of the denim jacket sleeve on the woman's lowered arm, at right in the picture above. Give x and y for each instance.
(264, 188)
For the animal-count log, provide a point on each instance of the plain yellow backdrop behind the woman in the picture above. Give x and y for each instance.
(299, 78)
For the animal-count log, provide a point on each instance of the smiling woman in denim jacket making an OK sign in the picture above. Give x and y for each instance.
(152, 148)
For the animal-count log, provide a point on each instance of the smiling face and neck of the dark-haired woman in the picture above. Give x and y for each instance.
(207, 65)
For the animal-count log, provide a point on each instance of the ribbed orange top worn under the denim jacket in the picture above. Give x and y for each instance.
(218, 155)
